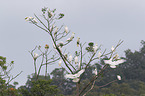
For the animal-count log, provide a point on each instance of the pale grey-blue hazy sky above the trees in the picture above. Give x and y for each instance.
(101, 21)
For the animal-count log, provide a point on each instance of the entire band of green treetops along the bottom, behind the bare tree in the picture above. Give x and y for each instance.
(132, 83)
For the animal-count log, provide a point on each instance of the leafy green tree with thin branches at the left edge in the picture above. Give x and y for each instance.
(6, 89)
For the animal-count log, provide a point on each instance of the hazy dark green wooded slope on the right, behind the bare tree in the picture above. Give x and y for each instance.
(132, 72)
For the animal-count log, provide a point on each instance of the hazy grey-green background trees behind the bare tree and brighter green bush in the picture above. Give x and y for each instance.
(107, 84)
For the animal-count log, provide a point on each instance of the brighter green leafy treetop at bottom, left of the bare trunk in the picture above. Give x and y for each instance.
(40, 87)
